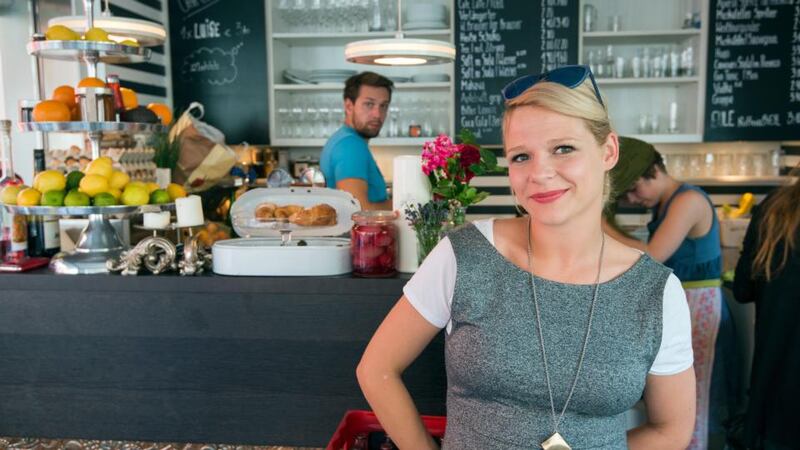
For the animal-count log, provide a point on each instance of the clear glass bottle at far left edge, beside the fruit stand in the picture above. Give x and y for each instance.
(14, 240)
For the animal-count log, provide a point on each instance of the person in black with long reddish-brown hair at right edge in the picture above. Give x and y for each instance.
(768, 273)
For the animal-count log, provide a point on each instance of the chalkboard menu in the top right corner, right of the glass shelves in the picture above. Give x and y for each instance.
(753, 81)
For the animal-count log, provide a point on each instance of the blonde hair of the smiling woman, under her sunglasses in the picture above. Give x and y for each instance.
(579, 102)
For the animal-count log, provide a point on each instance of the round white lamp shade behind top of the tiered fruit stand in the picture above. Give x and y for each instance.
(146, 33)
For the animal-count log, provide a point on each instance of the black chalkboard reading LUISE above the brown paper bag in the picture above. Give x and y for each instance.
(219, 58)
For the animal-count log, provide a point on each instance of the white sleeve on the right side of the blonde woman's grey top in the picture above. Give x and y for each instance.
(675, 354)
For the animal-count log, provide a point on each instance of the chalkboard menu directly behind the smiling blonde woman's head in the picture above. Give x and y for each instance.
(500, 40)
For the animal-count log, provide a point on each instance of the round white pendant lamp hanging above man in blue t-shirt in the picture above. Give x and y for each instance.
(400, 51)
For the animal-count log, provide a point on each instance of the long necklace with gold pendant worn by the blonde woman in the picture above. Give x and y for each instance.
(556, 441)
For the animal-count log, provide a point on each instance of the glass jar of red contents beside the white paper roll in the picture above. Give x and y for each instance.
(373, 244)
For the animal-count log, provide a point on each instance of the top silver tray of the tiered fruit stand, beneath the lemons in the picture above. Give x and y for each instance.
(107, 52)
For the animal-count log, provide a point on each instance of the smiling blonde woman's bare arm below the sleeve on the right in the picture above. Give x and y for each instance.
(670, 401)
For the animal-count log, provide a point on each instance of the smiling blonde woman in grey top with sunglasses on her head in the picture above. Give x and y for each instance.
(553, 330)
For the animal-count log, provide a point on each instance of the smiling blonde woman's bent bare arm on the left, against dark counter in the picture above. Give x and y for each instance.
(396, 344)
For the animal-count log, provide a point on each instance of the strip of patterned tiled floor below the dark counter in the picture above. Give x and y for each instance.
(78, 444)
